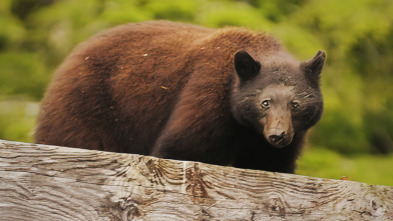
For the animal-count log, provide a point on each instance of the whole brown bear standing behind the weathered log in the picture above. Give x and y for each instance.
(227, 96)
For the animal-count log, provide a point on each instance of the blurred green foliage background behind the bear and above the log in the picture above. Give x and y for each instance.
(354, 137)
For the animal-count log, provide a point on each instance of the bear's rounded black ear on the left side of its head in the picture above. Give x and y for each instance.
(246, 67)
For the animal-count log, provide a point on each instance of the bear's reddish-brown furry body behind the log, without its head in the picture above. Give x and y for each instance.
(163, 89)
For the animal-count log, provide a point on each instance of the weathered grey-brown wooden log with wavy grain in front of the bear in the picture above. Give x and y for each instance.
(39, 182)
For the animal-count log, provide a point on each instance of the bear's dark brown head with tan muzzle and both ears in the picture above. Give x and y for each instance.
(277, 95)
